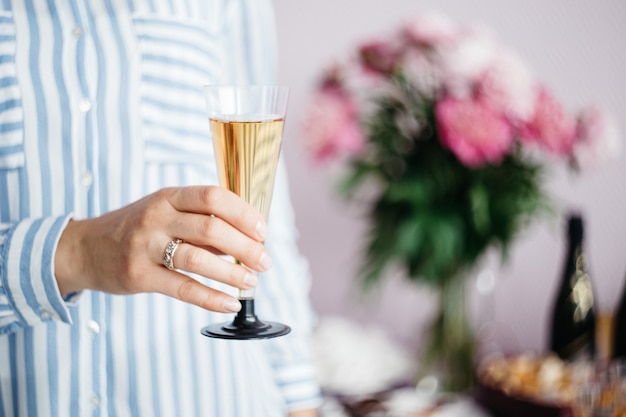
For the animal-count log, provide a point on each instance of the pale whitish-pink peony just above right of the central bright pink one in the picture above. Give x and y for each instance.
(507, 85)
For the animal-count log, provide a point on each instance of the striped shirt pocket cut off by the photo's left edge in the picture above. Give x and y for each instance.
(11, 111)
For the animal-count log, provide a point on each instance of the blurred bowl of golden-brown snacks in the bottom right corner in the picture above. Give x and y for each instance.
(546, 386)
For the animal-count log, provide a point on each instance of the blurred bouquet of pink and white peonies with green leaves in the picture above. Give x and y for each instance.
(454, 134)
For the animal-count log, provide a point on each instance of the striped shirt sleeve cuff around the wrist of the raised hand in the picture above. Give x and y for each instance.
(29, 292)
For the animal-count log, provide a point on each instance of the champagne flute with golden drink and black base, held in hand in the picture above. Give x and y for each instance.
(247, 128)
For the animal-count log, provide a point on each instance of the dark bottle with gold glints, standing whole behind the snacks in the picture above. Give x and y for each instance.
(573, 327)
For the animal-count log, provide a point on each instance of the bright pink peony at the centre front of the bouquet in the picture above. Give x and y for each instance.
(473, 131)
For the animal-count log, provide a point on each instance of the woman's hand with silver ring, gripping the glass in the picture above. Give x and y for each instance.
(122, 251)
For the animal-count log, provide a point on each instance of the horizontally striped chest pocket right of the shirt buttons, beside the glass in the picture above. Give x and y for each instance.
(176, 59)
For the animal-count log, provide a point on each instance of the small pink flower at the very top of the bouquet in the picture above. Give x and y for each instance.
(430, 30)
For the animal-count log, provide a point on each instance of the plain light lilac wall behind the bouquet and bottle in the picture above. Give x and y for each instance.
(577, 47)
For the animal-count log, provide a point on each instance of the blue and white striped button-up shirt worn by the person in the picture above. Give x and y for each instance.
(100, 104)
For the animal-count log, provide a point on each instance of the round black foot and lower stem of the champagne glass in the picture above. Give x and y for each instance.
(246, 326)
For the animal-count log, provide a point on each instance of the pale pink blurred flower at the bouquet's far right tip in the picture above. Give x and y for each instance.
(597, 139)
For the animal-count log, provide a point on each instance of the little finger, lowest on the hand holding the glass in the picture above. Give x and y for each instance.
(188, 290)
